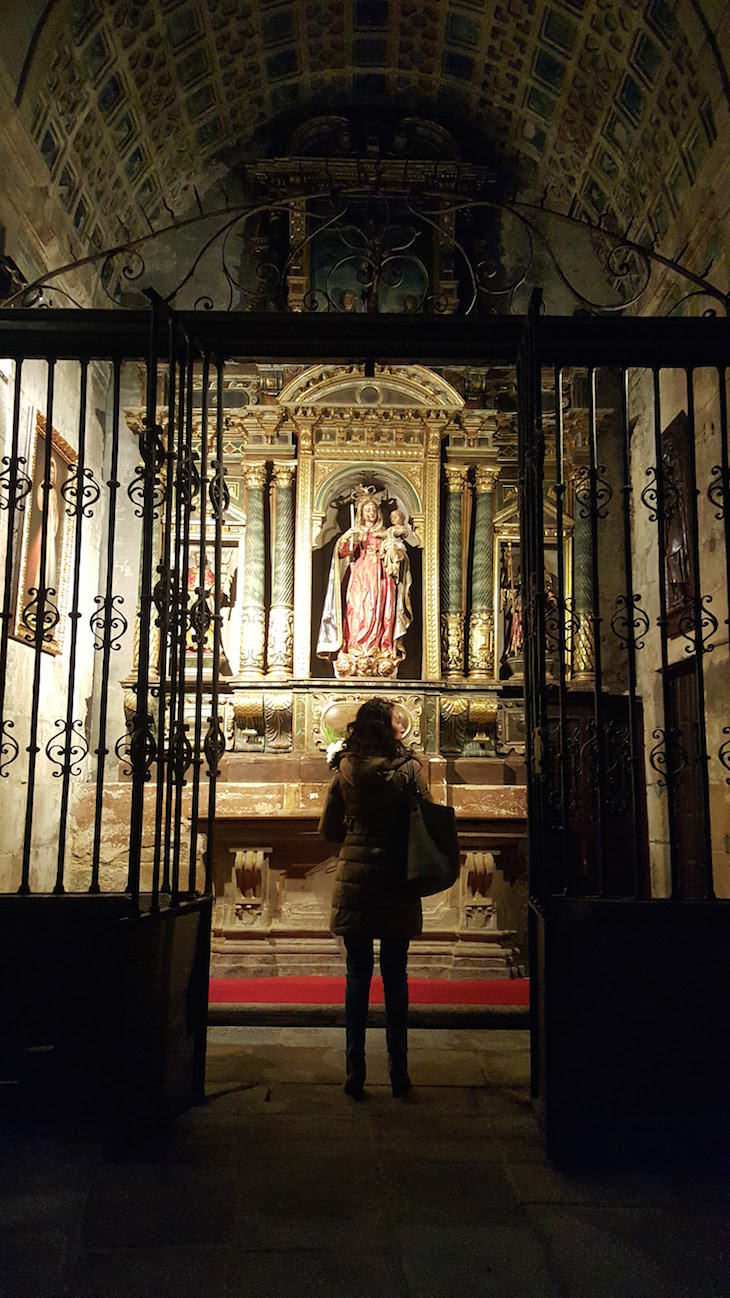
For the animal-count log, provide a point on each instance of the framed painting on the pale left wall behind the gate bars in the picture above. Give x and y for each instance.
(59, 542)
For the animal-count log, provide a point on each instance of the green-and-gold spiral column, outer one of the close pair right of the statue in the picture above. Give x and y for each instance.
(483, 617)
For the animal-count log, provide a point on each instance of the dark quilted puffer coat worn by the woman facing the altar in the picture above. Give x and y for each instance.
(367, 811)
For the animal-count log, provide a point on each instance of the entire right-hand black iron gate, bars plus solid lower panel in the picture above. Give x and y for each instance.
(627, 694)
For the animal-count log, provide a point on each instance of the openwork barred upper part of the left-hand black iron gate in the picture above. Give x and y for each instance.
(69, 513)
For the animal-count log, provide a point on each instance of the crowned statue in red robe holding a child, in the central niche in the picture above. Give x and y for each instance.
(368, 606)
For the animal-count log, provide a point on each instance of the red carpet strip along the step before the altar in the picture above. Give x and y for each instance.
(331, 991)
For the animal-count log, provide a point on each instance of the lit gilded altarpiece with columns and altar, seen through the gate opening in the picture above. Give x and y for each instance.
(328, 467)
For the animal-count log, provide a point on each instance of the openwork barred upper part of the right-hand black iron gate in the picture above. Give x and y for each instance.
(628, 747)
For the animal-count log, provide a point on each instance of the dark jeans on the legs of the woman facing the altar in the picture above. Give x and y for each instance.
(394, 959)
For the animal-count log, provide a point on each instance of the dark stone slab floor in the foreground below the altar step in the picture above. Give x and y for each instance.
(281, 1187)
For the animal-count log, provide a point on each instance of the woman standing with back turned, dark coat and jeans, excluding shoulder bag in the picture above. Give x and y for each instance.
(367, 811)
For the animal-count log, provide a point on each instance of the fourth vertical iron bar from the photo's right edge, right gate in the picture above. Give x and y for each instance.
(636, 750)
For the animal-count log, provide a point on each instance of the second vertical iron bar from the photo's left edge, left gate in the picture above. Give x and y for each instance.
(38, 634)
